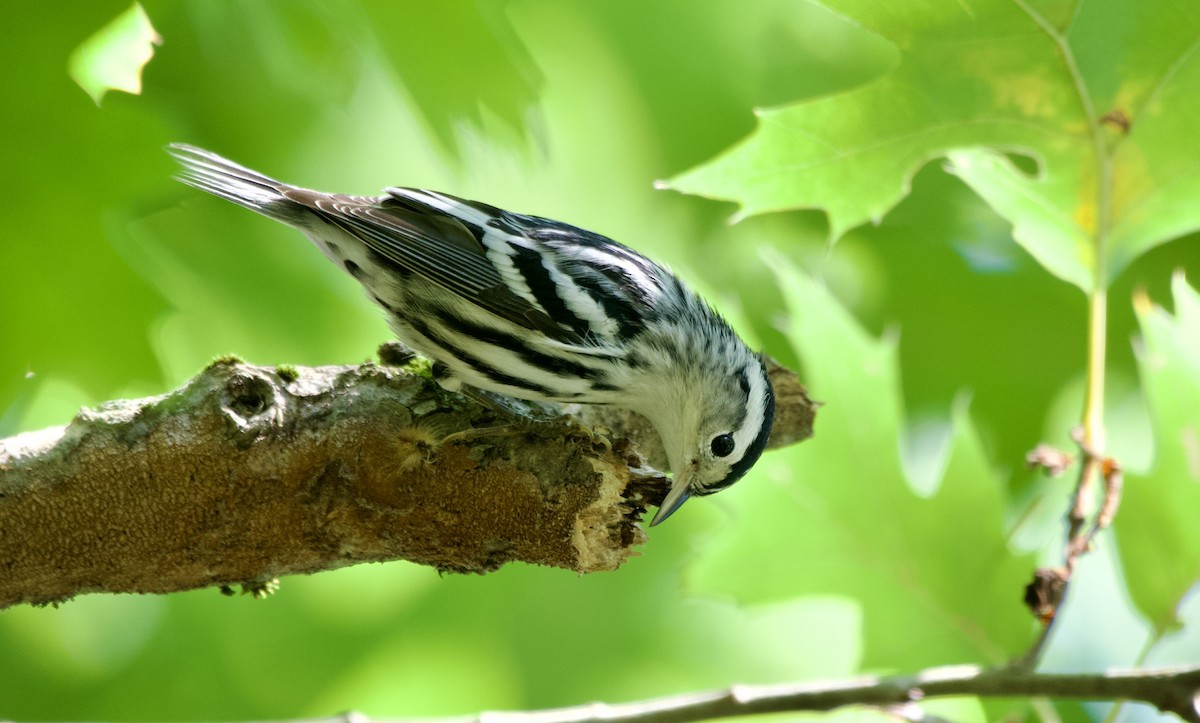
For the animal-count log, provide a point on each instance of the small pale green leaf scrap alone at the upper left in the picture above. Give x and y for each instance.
(113, 58)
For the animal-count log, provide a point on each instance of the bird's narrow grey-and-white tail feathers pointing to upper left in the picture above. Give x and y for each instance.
(221, 177)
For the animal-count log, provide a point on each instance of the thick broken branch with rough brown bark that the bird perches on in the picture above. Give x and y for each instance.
(248, 474)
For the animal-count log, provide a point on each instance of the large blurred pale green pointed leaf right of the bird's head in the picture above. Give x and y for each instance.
(934, 575)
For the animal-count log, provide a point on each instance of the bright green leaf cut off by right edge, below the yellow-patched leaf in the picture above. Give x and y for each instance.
(1157, 525)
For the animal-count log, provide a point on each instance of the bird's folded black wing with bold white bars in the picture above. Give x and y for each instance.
(577, 288)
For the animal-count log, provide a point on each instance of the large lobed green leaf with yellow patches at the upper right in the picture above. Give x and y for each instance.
(1102, 100)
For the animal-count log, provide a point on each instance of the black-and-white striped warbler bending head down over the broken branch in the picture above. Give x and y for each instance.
(535, 309)
